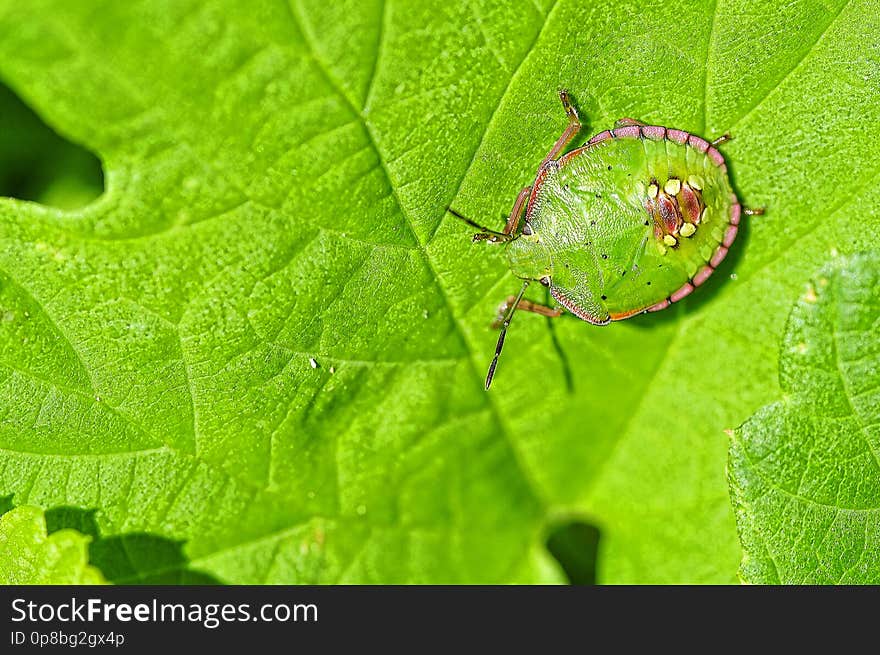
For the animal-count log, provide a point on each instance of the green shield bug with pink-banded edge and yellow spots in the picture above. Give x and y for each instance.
(630, 222)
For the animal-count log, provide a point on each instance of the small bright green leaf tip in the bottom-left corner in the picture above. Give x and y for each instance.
(29, 556)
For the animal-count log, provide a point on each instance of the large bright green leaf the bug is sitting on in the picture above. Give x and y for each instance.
(266, 340)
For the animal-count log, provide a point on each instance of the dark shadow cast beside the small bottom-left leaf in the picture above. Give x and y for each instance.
(131, 558)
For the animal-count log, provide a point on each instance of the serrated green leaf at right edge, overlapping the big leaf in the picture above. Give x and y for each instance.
(805, 471)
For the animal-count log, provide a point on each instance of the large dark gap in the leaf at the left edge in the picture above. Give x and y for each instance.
(39, 165)
